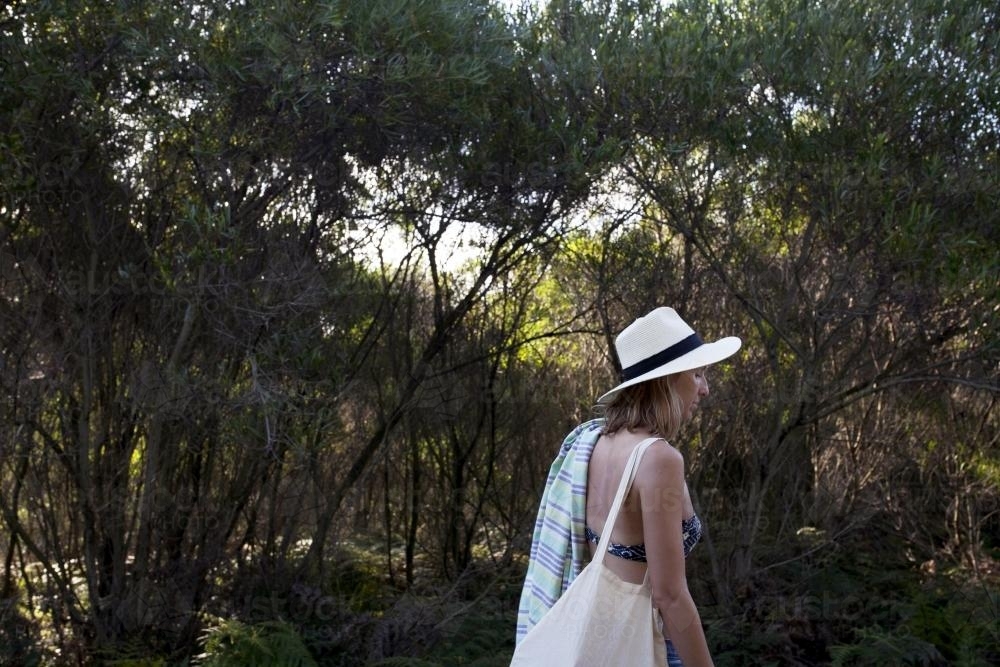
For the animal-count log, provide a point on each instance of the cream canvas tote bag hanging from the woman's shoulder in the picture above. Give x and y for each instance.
(599, 620)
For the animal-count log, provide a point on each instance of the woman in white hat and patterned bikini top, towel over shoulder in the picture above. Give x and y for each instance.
(663, 379)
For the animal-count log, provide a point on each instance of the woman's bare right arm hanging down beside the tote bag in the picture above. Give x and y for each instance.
(660, 483)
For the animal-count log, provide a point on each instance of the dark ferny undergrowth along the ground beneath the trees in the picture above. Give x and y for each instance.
(852, 604)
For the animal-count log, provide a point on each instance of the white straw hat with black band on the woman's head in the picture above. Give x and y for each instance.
(661, 343)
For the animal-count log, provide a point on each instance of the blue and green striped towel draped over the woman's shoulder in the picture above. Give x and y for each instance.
(559, 548)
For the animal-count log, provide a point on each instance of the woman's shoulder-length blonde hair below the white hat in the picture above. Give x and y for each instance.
(653, 406)
